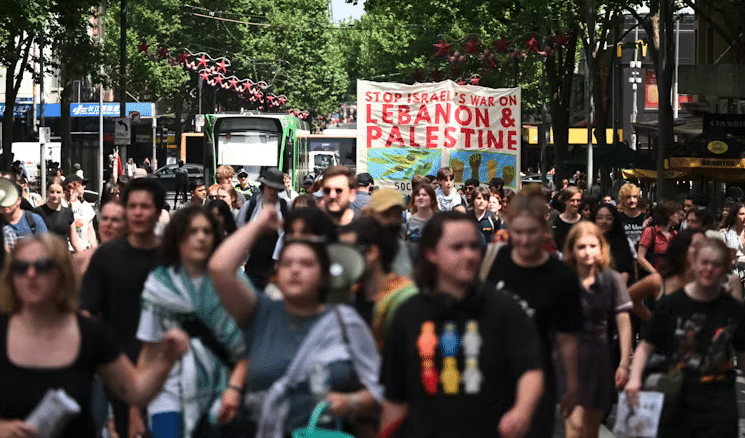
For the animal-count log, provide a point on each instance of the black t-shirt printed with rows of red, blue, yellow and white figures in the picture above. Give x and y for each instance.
(510, 348)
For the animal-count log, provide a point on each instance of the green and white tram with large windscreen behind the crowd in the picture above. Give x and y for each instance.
(255, 142)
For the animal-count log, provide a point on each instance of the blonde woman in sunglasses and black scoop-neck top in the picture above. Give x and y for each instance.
(47, 345)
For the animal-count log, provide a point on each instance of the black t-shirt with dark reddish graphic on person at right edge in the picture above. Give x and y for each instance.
(698, 335)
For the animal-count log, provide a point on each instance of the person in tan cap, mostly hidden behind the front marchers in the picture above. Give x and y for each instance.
(387, 207)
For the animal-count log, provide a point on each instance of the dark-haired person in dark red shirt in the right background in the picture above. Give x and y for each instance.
(656, 238)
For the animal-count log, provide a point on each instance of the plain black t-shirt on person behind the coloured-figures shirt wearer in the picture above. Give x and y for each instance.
(551, 292)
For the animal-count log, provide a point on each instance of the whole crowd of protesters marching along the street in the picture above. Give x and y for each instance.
(476, 311)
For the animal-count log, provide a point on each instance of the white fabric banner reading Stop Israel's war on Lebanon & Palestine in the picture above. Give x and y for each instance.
(406, 130)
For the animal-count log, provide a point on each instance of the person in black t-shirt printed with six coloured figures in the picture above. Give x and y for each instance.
(500, 365)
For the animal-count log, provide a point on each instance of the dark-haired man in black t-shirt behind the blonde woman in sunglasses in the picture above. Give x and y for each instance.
(112, 284)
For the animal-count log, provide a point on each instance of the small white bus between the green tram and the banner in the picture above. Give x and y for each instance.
(333, 147)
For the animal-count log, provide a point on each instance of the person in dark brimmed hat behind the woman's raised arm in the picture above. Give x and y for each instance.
(261, 261)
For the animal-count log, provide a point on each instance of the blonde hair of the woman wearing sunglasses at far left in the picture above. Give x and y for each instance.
(67, 296)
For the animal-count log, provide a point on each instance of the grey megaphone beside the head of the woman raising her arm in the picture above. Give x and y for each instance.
(347, 267)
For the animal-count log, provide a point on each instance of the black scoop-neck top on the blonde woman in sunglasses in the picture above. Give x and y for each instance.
(22, 388)
